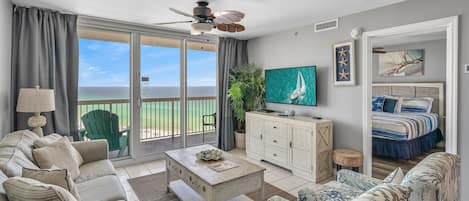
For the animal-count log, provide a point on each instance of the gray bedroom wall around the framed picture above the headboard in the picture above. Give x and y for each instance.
(434, 64)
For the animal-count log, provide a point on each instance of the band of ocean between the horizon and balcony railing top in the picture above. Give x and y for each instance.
(109, 93)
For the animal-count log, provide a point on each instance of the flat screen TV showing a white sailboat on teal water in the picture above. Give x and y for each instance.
(291, 85)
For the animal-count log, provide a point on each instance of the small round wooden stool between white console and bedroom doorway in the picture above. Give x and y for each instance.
(347, 158)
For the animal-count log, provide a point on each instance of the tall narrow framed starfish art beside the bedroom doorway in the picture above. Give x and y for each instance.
(344, 63)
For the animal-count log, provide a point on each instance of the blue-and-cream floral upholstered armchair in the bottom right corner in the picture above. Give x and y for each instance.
(436, 178)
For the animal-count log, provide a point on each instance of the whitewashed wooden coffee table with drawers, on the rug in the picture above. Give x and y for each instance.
(197, 181)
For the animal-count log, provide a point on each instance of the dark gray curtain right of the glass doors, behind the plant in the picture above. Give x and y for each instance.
(231, 54)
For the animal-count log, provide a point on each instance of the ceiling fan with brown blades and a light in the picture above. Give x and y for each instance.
(203, 20)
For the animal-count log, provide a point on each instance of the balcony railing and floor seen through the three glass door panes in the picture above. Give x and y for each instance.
(160, 120)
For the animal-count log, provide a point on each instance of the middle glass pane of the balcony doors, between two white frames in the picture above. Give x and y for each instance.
(160, 94)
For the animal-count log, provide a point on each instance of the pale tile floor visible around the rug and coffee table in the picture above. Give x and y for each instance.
(274, 175)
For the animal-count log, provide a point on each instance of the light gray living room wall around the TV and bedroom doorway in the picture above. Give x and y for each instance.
(344, 104)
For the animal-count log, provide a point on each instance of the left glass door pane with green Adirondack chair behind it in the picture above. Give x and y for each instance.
(104, 88)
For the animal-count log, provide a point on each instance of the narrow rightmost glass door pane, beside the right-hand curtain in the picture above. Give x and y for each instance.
(201, 93)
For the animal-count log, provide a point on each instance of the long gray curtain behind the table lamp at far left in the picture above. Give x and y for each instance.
(45, 53)
